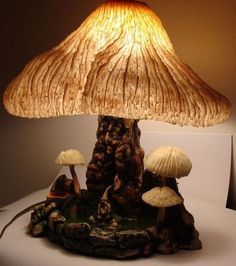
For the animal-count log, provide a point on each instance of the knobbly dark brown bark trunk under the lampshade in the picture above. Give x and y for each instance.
(117, 160)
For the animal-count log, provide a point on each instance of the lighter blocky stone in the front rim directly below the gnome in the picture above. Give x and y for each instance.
(100, 238)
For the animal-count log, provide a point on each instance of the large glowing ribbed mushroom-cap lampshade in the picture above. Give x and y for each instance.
(119, 62)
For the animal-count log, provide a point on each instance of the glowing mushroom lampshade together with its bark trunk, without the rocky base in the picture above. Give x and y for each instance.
(120, 65)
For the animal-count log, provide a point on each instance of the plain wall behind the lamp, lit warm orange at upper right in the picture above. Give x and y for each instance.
(203, 34)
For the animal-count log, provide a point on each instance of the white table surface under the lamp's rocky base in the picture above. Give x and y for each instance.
(215, 224)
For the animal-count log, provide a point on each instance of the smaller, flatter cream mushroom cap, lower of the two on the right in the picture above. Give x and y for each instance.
(162, 197)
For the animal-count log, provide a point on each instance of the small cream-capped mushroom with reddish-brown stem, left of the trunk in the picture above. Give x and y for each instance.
(71, 158)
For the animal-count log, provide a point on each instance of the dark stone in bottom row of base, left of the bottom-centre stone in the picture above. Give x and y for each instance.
(82, 246)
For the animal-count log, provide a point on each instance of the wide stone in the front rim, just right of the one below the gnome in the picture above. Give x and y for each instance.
(132, 238)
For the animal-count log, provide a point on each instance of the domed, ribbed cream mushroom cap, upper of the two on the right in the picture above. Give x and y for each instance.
(168, 162)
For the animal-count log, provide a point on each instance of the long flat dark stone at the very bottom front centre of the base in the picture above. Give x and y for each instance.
(117, 253)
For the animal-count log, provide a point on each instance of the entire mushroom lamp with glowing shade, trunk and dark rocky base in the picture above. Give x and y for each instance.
(119, 64)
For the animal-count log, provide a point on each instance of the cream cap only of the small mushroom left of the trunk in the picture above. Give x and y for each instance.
(70, 157)
